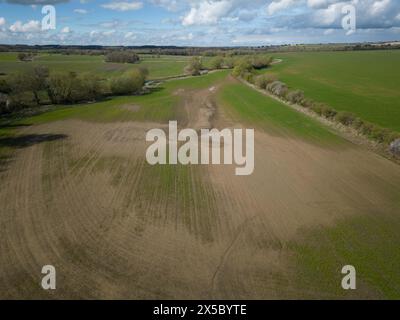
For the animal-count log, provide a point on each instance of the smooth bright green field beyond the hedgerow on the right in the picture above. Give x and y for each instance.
(364, 83)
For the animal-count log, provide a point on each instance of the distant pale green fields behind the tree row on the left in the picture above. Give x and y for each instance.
(159, 67)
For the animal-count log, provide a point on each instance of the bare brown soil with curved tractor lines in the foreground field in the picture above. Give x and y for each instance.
(114, 227)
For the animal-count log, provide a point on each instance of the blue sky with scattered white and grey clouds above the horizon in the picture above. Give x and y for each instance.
(199, 22)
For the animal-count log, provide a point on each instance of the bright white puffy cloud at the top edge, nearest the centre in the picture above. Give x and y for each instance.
(207, 12)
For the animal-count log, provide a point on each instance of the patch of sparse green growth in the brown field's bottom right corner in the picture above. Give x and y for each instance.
(369, 242)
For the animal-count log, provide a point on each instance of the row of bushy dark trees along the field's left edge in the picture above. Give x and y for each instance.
(38, 86)
